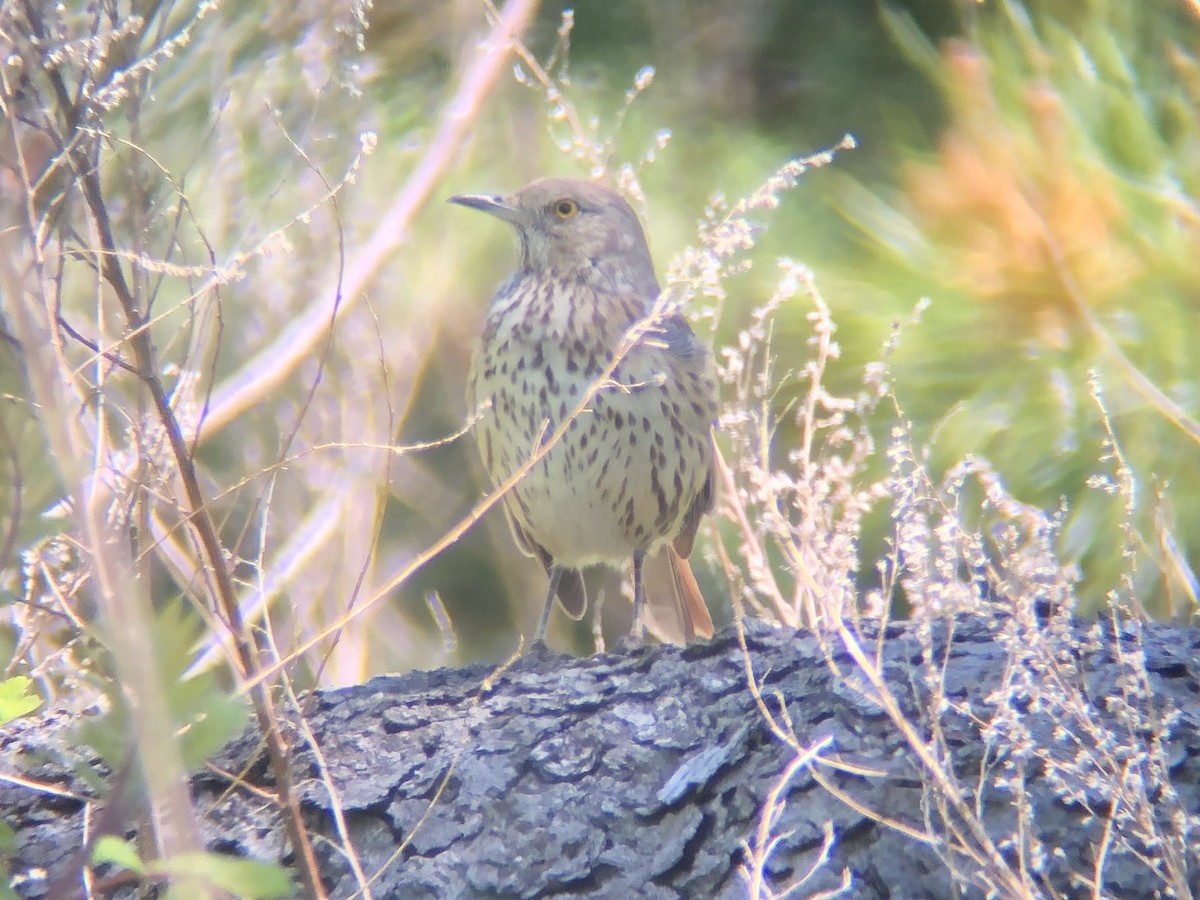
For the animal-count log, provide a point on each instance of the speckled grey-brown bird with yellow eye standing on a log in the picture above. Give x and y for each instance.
(633, 475)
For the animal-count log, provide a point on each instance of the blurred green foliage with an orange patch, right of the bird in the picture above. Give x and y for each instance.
(1054, 230)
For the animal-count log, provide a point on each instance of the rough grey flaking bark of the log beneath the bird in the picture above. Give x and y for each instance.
(641, 775)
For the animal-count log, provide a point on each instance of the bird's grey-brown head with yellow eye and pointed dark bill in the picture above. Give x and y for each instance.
(574, 227)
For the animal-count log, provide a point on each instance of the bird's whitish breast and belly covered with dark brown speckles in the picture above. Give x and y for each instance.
(631, 465)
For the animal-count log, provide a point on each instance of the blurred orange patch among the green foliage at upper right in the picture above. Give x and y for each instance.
(1013, 212)
